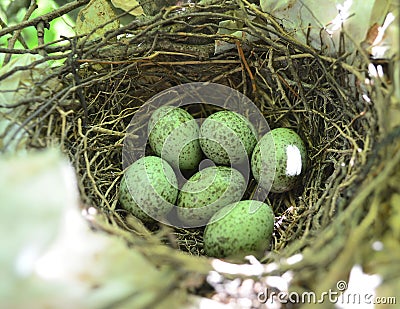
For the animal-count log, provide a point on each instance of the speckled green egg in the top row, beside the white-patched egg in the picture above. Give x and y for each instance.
(227, 138)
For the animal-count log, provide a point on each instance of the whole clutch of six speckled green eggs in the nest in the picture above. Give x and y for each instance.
(212, 196)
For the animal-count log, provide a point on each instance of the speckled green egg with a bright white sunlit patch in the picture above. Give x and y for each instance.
(278, 160)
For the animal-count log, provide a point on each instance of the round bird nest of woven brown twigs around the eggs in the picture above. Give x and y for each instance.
(103, 82)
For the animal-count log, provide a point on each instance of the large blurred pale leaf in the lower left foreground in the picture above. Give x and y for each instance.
(51, 258)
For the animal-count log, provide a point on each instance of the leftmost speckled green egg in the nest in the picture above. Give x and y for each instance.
(149, 189)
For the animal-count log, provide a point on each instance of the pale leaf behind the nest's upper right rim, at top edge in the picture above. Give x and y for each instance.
(306, 19)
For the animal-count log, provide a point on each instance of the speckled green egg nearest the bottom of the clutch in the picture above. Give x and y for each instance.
(240, 228)
